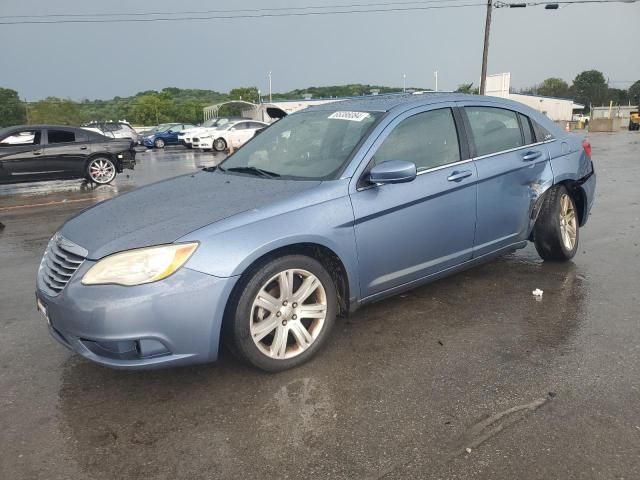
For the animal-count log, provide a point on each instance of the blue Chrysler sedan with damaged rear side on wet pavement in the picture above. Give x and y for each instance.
(325, 211)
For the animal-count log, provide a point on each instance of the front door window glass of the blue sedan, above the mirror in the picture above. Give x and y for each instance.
(428, 140)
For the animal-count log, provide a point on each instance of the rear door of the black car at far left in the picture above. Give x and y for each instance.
(66, 151)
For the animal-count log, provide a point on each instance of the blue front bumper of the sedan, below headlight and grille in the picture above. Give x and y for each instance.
(176, 321)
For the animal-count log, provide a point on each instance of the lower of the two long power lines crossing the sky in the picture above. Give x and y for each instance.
(245, 16)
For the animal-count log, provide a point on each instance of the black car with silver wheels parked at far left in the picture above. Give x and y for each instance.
(49, 152)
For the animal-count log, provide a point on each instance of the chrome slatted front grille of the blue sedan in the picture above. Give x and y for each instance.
(60, 261)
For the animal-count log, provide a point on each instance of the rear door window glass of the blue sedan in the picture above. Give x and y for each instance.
(494, 129)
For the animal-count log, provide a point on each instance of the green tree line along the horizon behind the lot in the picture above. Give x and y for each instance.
(186, 105)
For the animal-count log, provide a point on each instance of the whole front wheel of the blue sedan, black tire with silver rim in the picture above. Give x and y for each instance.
(284, 313)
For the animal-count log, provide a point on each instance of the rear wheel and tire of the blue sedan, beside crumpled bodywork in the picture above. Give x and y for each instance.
(557, 231)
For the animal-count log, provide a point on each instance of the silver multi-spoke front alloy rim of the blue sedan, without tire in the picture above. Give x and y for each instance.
(288, 314)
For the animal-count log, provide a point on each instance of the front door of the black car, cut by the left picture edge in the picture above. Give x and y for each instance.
(21, 156)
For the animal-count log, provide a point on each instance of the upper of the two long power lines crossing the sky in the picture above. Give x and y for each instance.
(224, 11)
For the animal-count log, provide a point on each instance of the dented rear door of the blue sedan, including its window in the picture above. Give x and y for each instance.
(513, 169)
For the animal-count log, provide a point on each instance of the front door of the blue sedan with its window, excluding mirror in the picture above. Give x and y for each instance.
(408, 231)
